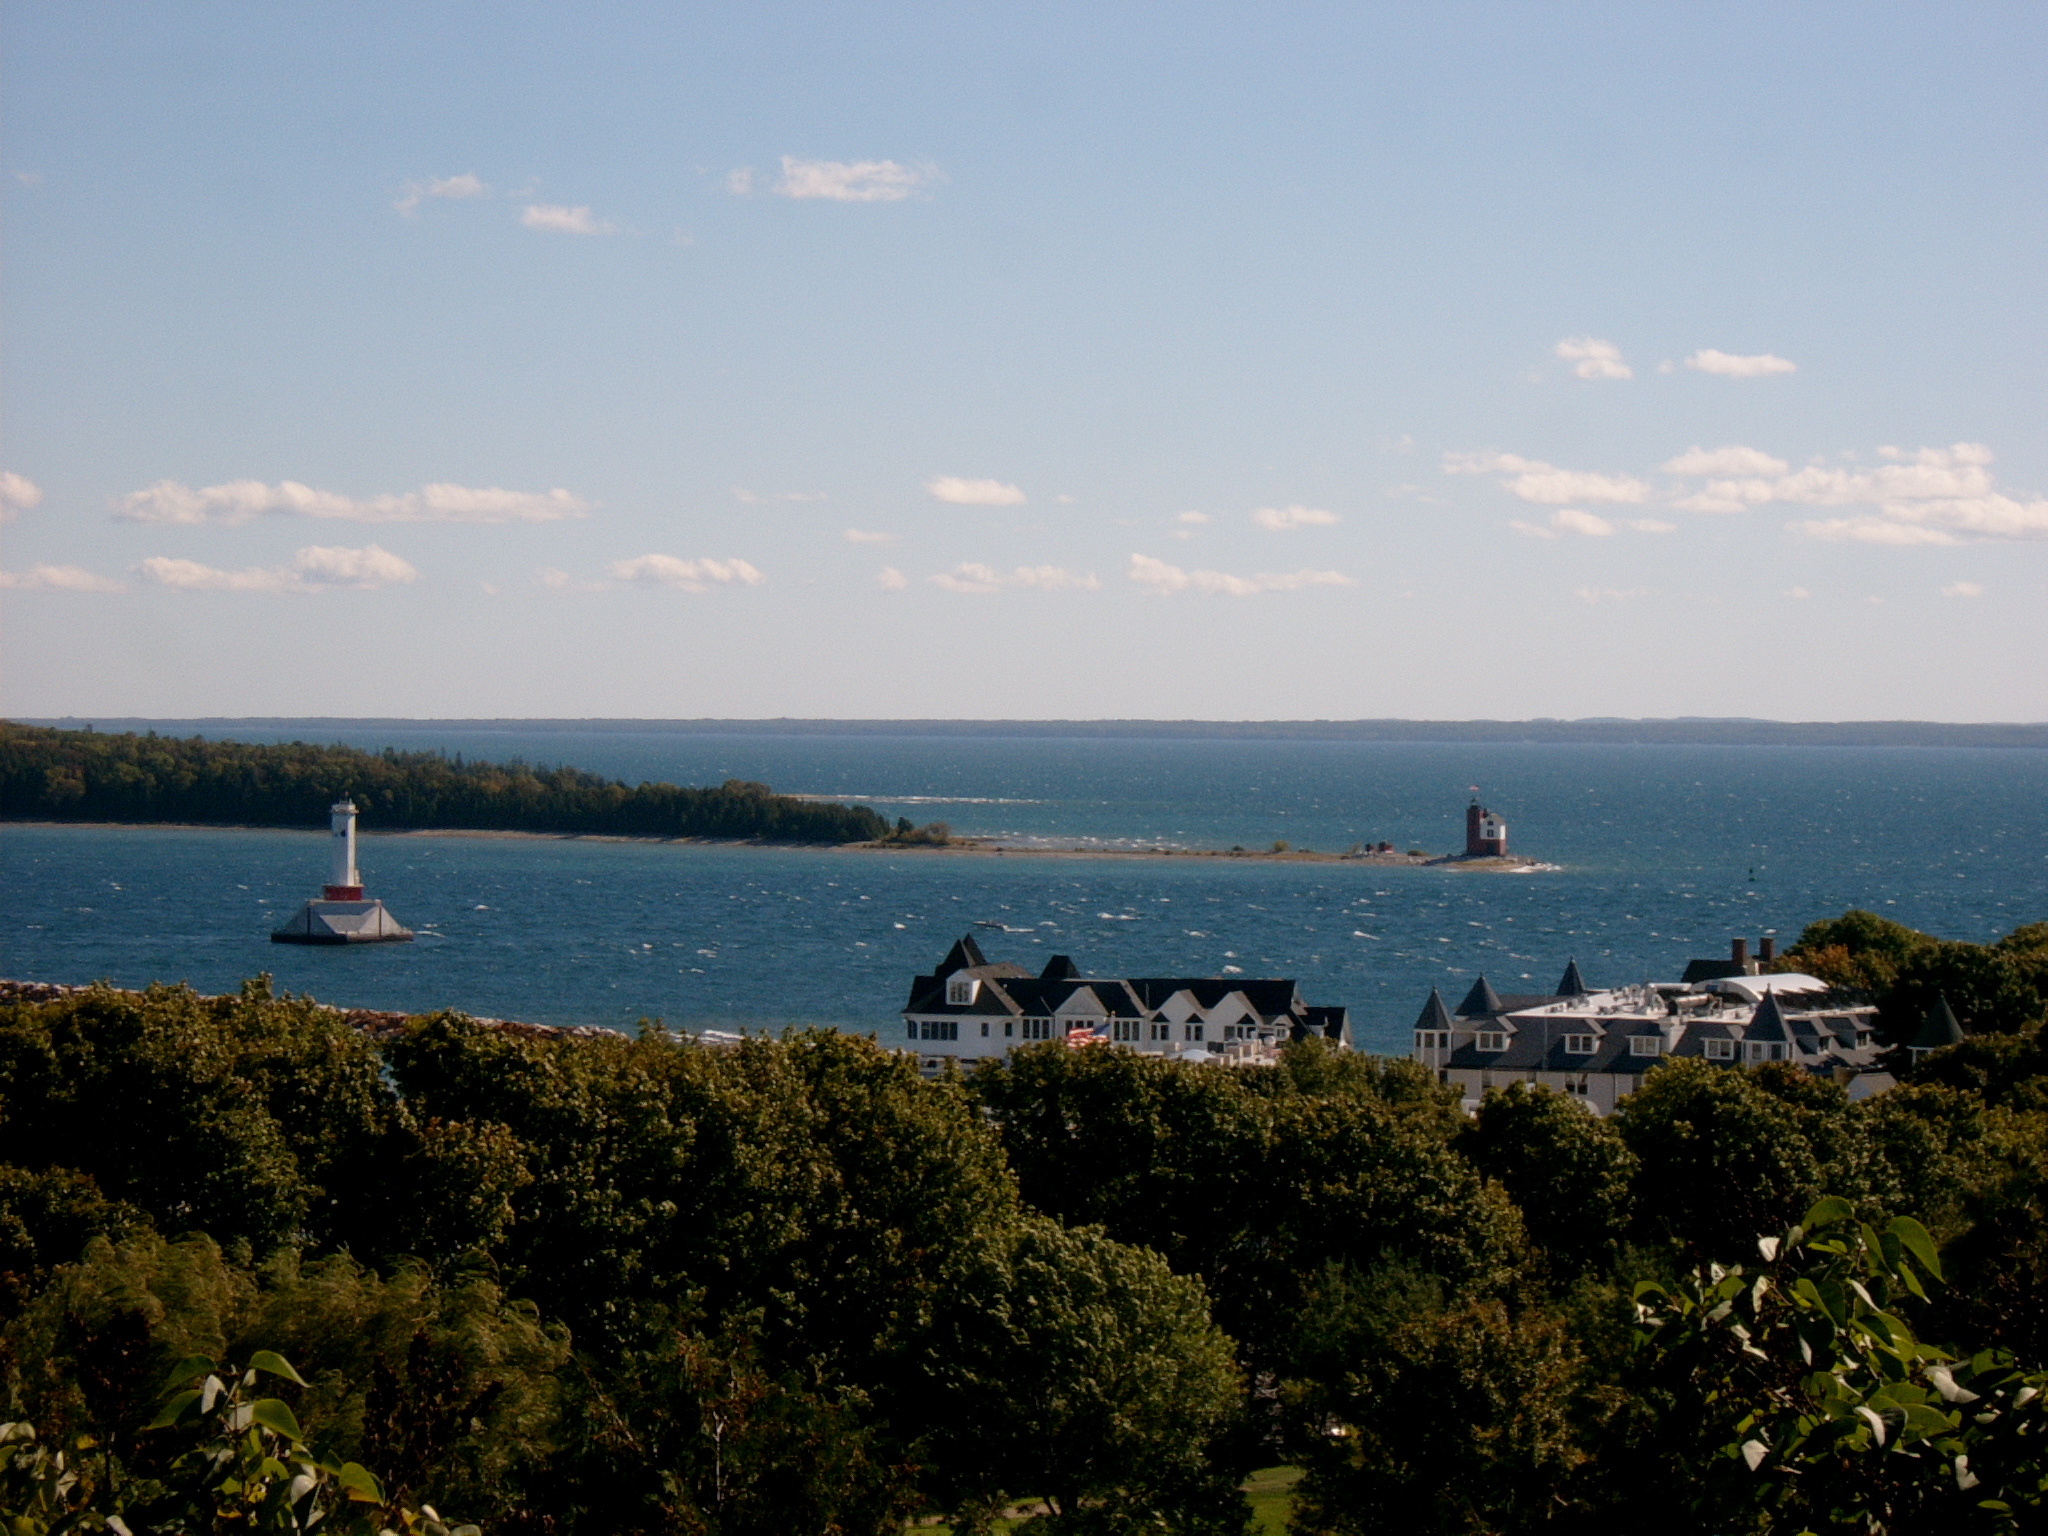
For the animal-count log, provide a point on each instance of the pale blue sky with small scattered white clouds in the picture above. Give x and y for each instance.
(1166, 361)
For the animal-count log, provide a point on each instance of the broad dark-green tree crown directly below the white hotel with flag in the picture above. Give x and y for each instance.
(1250, 1181)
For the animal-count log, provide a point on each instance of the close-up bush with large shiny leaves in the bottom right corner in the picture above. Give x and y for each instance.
(1822, 1408)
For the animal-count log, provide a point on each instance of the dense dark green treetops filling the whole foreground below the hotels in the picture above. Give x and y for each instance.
(259, 1265)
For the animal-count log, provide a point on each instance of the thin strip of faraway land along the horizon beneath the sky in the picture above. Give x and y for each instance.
(1537, 732)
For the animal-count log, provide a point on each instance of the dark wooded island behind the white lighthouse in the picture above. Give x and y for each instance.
(101, 777)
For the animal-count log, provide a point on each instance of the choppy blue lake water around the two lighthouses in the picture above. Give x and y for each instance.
(1664, 853)
